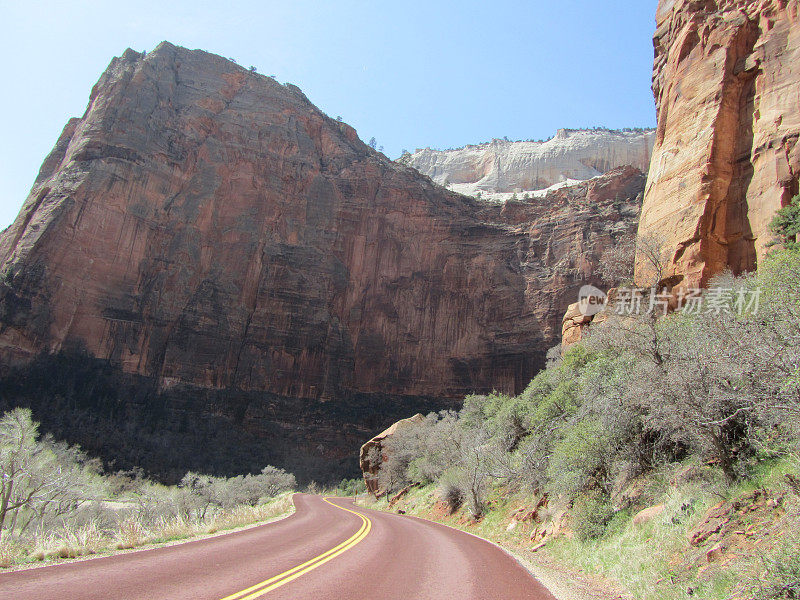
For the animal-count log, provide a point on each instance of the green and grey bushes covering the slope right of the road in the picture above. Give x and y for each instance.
(721, 384)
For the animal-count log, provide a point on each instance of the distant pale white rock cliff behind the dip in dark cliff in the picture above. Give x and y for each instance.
(502, 167)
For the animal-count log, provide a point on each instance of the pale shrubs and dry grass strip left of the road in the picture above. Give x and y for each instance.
(54, 501)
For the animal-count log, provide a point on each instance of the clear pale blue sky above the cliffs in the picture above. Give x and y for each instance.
(412, 74)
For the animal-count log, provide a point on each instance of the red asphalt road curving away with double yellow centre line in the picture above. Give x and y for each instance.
(400, 557)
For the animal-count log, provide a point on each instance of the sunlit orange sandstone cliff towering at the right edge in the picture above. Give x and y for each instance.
(727, 87)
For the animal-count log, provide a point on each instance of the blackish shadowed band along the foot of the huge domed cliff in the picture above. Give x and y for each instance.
(128, 422)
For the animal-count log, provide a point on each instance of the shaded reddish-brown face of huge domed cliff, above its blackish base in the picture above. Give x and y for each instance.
(201, 223)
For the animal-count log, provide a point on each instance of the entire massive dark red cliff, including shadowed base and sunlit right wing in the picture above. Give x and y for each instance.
(230, 252)
